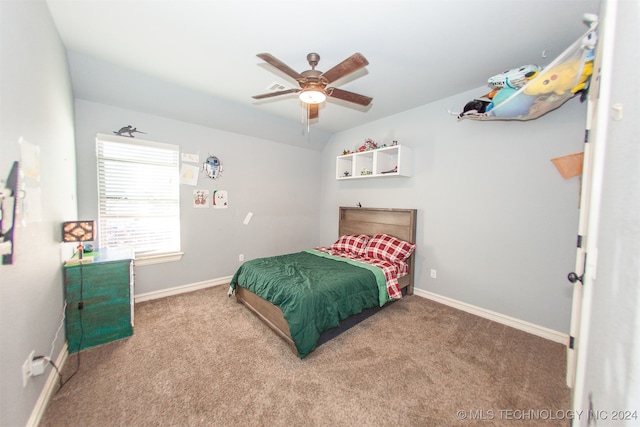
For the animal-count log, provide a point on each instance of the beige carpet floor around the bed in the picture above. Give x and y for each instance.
(203, 359)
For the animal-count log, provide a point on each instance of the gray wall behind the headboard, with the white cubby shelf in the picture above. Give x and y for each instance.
(495, 218)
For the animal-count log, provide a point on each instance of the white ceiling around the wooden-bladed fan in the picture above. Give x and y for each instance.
(418, 51)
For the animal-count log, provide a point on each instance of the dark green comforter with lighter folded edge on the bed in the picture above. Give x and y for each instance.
(314, 290)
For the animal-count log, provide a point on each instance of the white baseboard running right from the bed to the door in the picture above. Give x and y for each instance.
(531, 328)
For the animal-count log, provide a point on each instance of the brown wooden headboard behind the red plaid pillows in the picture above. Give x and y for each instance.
(400, 223)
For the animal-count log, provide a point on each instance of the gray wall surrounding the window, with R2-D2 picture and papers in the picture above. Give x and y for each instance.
(277, 182)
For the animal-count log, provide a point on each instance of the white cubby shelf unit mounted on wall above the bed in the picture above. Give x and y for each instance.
(377, 163)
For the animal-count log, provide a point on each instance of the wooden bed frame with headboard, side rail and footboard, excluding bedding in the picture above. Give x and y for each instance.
(400, 223)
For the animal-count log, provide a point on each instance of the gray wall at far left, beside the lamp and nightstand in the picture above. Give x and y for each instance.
(36, 104)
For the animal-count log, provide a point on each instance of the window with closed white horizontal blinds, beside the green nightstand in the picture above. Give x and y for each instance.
(139, 196)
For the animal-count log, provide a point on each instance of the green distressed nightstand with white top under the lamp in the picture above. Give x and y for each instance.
(99, 295)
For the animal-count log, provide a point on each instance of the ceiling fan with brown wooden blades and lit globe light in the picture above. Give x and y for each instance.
(313, 83)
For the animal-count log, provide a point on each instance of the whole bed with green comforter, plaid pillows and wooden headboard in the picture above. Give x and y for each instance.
(333, 291)
